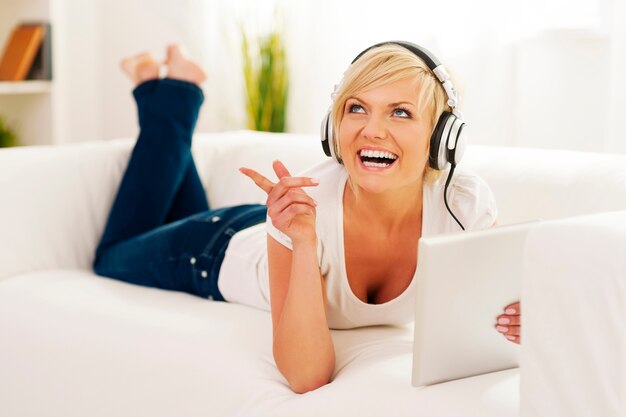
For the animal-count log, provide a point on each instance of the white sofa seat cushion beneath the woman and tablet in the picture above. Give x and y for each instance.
(75, 344)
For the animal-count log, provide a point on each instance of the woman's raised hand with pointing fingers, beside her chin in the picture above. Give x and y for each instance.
(292, 211)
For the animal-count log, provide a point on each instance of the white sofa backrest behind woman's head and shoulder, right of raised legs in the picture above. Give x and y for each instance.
(528, 183)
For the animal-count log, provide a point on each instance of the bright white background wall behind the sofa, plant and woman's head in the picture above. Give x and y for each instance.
(522, 87)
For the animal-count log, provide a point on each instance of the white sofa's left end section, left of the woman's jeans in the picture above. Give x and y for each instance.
(54, 203)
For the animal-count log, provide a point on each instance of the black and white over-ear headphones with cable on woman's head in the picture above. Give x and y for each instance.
(449, 138)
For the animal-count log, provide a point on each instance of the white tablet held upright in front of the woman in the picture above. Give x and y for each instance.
(464, 281)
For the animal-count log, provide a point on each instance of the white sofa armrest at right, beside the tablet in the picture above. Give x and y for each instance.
(573, 359)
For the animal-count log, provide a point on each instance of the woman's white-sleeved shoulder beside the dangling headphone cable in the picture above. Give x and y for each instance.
(470, 198)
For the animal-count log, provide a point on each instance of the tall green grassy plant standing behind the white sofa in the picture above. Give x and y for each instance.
(266, 80)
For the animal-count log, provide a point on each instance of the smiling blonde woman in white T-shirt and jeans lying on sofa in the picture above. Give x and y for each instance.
(341, 243)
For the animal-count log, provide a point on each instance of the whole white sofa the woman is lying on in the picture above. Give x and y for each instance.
(75, 344)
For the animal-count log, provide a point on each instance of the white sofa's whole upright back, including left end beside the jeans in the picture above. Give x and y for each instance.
(55, 200)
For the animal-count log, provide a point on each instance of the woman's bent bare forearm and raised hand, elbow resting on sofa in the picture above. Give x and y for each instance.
(303, 347)
